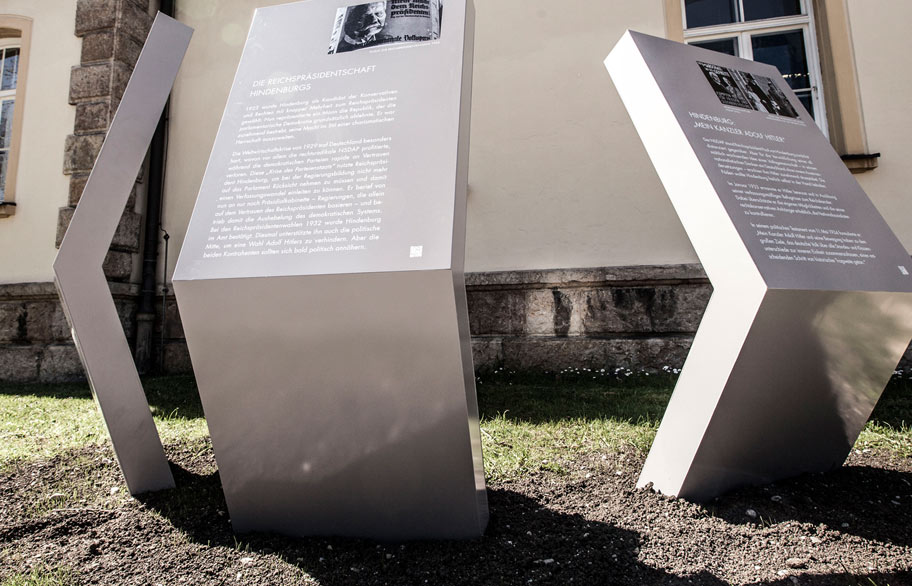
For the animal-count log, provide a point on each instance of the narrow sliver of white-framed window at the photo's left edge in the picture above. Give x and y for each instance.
(15, 34)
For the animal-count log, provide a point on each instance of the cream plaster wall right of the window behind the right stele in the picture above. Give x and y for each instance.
(882, 46)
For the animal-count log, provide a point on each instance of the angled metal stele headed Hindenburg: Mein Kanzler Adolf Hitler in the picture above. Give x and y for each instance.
(812, 302)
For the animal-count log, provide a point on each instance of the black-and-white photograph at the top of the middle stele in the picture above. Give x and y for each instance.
(382, 23)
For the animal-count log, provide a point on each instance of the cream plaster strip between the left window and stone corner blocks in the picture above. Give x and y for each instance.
(27, 238)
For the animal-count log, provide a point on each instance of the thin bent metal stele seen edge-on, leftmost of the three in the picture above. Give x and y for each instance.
(81, 283)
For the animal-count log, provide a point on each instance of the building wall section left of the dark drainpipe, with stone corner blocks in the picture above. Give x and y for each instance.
(81, 57)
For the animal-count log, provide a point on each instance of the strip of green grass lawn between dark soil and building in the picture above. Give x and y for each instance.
(528, 423)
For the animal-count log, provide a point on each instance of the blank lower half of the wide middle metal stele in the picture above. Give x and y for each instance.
(338, 404)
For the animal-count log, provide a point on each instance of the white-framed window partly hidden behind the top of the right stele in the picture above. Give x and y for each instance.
(777, 32)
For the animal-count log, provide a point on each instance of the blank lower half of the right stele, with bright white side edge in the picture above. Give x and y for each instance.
(777, 383)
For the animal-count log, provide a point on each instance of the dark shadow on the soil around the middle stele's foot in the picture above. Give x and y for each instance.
(524, 542)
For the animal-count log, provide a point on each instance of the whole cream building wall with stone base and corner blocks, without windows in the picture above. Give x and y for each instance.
(576, 258)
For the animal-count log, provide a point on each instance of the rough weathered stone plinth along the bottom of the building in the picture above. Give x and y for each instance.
(634, 317)
